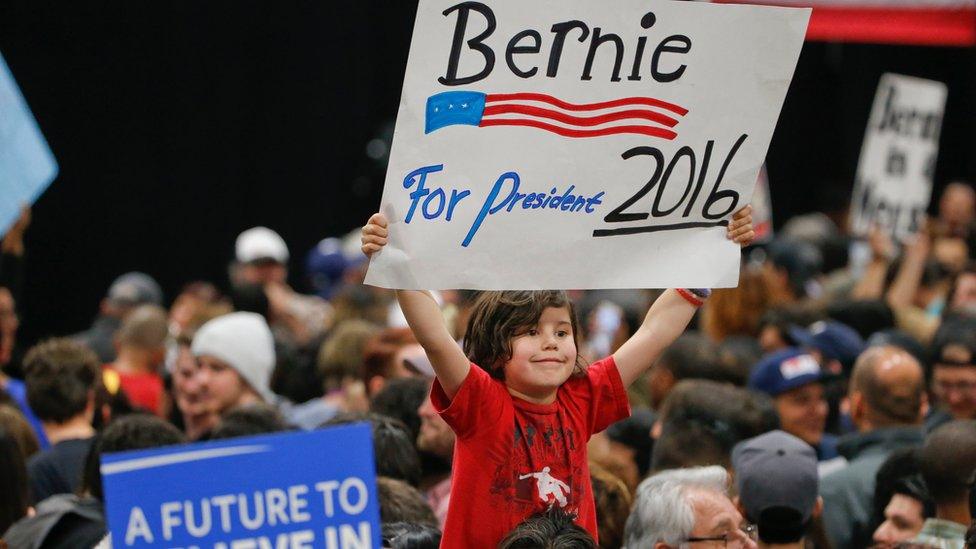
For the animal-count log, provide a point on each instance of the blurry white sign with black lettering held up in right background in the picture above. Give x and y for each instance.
(894, 174)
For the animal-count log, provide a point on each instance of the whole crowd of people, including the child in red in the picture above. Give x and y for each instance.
(828, 401)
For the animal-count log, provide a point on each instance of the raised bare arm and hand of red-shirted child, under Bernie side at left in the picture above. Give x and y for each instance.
(424, 317)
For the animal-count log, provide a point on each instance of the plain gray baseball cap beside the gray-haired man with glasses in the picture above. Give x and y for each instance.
(776, 470)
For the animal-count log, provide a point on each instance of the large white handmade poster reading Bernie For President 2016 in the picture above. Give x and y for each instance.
(571, 144)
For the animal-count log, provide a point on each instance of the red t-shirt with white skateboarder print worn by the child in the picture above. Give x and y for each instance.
(514, 458)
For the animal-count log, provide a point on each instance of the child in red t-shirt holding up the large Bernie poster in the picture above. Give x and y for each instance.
(524, 413)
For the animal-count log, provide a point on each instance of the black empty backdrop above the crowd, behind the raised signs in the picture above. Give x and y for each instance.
(178, 124)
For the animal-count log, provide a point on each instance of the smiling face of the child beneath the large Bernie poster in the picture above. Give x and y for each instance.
(543, 357)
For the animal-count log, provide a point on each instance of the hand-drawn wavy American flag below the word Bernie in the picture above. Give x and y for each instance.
(628, 115)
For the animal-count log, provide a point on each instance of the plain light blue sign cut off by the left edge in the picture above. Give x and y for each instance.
(27, 166)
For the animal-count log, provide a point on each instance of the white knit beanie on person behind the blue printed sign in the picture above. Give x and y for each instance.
(244, 341)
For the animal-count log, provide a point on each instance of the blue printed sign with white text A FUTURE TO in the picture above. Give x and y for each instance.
(292, 490)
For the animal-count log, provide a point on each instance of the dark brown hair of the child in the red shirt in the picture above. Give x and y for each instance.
(498, 317)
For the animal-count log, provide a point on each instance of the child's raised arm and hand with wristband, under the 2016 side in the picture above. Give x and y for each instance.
(669, 315)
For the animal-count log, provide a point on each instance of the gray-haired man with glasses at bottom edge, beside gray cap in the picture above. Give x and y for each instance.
(682, 506)
